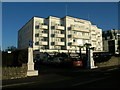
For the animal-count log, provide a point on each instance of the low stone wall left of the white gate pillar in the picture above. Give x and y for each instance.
(14, 72)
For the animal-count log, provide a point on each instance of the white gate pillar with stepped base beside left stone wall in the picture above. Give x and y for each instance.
(31, 71)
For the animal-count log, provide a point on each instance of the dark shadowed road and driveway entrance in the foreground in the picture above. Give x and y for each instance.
(54, 77)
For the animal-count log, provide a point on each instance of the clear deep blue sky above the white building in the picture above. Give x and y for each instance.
(16, 14)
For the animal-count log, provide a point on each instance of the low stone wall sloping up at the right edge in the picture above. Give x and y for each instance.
(114, 61)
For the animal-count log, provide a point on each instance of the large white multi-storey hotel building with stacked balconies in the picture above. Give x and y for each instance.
(59, 34)
